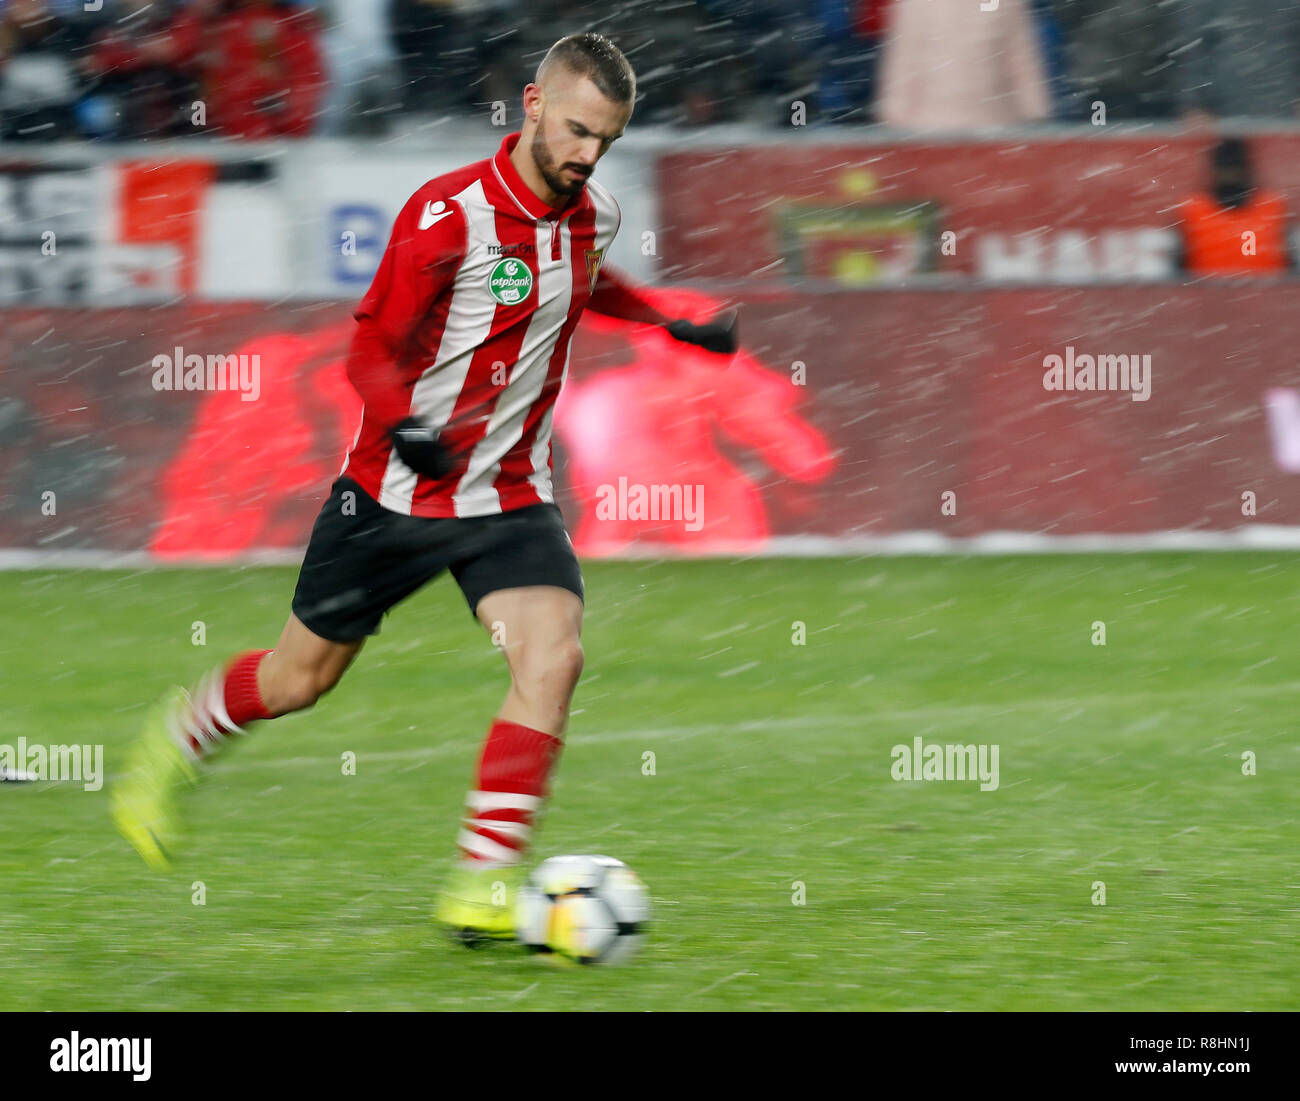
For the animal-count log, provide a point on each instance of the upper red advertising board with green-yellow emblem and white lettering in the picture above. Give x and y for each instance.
(1085, 209)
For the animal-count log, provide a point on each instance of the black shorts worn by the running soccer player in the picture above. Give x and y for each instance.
(365, 560)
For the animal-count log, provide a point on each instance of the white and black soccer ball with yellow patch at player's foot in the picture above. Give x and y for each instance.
(583, 911)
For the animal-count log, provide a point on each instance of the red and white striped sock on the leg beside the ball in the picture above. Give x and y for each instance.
(513, 783)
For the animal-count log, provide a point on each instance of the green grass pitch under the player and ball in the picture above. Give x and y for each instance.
(1119, 764)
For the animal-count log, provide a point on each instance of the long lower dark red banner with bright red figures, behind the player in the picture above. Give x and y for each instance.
(920, 411)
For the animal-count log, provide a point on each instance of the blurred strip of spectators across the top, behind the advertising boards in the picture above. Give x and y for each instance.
(138, 70)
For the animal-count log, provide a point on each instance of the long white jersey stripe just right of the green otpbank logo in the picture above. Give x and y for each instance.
(476, 493)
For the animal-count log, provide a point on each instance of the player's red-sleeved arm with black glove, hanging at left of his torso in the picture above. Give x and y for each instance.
(419, 266)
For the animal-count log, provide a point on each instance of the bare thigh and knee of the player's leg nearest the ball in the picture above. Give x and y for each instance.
(538, 627)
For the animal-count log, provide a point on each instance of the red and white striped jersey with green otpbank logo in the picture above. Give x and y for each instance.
(476, 302)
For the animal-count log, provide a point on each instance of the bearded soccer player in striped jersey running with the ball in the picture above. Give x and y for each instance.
(461, 349)
